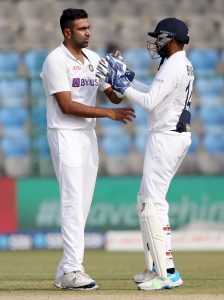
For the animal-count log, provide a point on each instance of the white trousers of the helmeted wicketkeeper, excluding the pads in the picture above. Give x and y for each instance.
(163, 156)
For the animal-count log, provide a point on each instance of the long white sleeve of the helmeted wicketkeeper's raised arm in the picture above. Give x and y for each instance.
(161, 87)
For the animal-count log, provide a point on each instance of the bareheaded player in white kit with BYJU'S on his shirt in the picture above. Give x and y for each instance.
(71, 85)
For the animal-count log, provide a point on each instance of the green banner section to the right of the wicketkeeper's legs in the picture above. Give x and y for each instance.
(196, 199)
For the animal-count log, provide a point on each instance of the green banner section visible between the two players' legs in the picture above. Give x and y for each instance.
(114, 204)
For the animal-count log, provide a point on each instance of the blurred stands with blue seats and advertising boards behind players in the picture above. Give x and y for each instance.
(29, 198)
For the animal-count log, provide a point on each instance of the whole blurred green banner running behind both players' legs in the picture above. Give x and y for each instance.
(114, 204)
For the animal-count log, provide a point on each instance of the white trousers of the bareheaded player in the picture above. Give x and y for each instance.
(75, 159)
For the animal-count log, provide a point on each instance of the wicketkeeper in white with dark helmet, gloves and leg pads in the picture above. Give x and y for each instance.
(168, 102)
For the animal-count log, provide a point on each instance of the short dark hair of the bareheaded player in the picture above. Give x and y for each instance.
(70, 15)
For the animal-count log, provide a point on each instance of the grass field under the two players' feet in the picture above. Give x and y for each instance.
(29, 275)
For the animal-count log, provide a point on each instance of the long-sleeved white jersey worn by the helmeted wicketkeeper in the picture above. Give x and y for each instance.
(168, 94)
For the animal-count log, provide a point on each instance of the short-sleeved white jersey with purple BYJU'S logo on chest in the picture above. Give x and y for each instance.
(63, 72)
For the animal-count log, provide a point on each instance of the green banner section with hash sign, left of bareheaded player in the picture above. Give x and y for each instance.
(38, 204)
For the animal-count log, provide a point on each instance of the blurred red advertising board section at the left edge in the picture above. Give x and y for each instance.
(8, 205)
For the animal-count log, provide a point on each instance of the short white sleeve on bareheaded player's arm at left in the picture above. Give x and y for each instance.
(55, 75)
